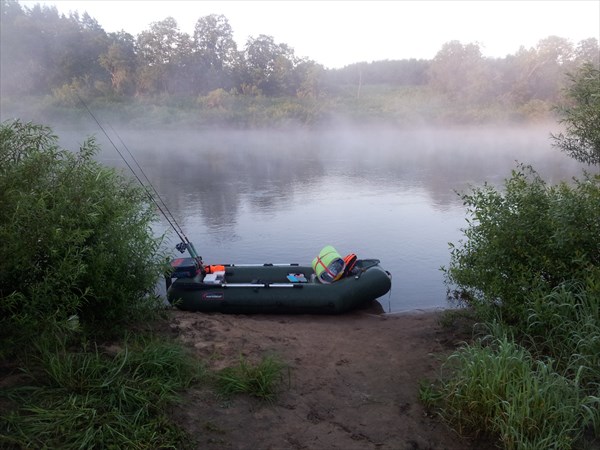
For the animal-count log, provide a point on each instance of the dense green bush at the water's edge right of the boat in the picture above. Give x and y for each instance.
(524, 242)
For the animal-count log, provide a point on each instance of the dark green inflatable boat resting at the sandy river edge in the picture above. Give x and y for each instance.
(273, 288)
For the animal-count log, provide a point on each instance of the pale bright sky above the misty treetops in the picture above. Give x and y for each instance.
(338, 33)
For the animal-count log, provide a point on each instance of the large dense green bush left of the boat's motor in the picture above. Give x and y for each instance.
(76, 239)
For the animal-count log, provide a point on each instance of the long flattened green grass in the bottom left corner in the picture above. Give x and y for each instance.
(98, 399)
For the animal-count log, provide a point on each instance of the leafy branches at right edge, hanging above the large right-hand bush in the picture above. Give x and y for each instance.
(581, 116)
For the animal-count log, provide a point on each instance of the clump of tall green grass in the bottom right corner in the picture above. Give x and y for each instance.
(497, 388)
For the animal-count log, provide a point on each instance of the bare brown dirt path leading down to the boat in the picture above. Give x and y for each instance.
(354, 381)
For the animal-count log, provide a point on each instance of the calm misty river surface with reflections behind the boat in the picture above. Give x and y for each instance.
(251, 196)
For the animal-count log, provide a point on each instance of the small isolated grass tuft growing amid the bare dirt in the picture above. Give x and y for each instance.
(259, 380)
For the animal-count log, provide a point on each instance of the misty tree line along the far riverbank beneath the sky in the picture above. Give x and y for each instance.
(47, 53)
